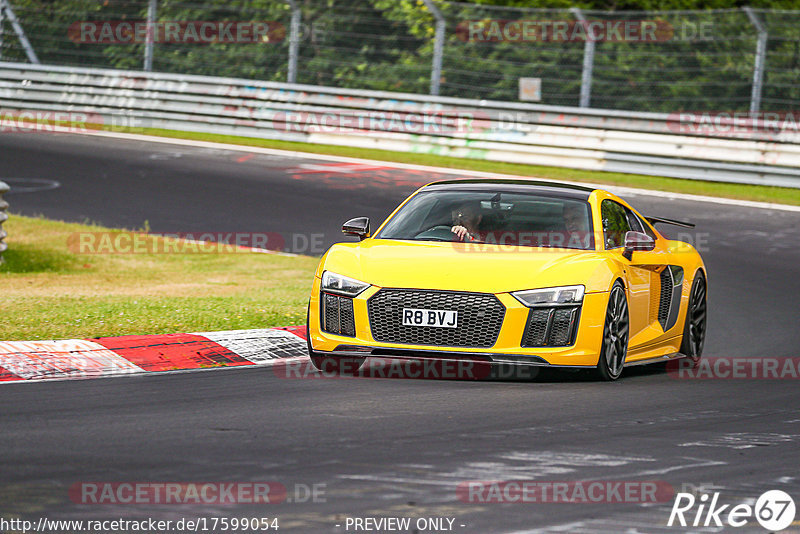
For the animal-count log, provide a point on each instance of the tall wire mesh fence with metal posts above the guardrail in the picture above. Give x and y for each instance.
(734, 60)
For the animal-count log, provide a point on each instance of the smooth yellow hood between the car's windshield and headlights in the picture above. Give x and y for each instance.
(465, 267)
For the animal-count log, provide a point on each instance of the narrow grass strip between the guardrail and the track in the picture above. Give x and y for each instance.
(781, 195)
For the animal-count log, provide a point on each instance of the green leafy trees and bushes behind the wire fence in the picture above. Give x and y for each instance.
(704, 61)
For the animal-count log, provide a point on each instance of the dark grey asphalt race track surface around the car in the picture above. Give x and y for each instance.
(392, 447)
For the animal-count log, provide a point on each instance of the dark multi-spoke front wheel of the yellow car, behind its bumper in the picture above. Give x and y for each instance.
(614, 347)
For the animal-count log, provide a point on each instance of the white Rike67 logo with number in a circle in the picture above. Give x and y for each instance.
(774, 510)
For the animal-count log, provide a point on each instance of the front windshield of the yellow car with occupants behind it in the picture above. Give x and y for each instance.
(496, 217)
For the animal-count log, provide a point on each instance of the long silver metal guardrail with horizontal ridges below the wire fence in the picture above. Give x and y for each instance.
(764, 153)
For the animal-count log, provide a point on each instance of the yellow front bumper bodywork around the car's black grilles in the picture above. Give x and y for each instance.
(506, 349)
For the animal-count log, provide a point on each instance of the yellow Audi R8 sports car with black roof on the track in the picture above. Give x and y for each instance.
(509, 271)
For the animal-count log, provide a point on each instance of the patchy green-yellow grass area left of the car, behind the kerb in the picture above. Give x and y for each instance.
(51, 291)
